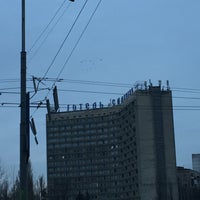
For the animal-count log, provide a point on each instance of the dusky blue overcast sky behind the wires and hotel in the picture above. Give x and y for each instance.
(125, 42)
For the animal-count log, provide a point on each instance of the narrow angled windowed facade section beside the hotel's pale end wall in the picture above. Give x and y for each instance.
(129, 186)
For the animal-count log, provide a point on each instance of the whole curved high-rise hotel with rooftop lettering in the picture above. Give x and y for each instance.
(125, 151)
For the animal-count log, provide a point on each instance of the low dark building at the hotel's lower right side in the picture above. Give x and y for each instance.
(188, 184)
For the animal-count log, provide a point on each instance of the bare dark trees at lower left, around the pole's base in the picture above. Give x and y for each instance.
(11, 191)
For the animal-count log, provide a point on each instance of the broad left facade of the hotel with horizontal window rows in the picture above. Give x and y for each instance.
(87, 154)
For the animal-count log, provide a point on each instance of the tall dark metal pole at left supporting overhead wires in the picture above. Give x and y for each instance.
(24, 153)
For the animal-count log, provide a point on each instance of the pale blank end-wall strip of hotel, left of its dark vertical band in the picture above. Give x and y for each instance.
(146, 147)
